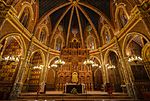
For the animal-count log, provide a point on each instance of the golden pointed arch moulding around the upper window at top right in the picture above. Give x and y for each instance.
(118, 8)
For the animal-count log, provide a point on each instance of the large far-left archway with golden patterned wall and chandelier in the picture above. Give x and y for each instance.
(11, 52)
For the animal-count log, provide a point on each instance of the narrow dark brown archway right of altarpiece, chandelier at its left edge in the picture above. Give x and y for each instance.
(114, 71)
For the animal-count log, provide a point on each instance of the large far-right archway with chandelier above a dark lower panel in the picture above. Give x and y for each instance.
(136, 61)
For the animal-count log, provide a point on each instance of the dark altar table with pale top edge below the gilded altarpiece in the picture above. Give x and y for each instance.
(73, 87)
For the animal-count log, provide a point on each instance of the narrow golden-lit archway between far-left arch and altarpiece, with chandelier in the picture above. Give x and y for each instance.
(36, 65)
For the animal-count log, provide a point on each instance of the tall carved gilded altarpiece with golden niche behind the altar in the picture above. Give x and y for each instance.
(74, 71)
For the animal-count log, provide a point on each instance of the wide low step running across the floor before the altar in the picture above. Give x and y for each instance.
(72, 96)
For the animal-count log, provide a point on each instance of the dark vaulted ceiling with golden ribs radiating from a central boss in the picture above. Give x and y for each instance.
(75, 14)
